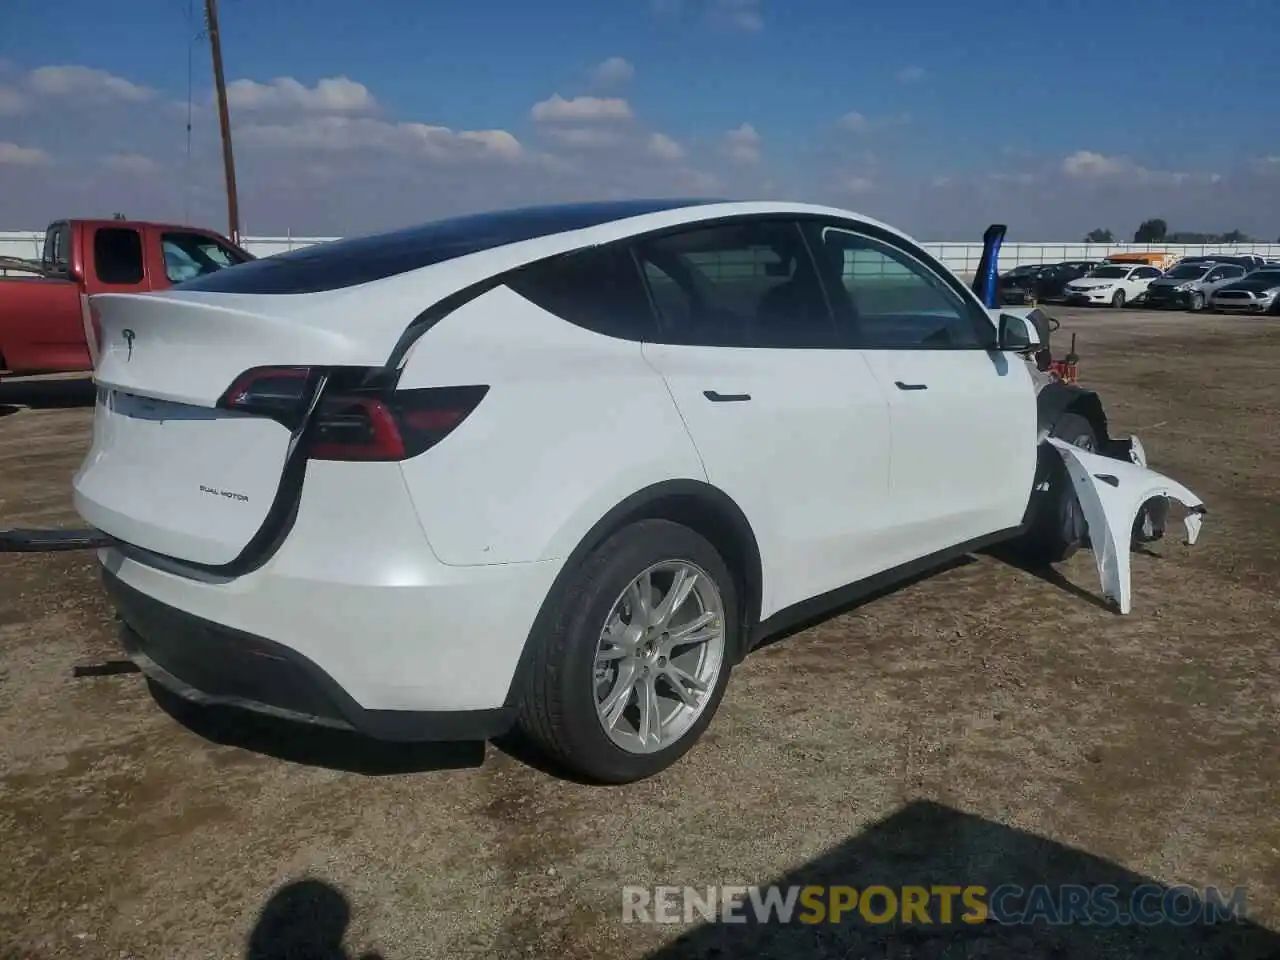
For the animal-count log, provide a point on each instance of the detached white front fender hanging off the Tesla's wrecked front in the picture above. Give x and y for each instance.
(1113, 495)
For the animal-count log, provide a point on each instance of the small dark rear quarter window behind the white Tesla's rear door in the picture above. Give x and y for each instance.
(598, 289)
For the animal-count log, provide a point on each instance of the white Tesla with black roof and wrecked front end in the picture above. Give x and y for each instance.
(564, 468)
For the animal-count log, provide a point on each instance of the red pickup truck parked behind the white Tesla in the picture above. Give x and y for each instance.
(44, 318)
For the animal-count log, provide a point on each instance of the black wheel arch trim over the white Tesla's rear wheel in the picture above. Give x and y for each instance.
(694, 504)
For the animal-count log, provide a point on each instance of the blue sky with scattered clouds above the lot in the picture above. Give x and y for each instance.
(922, 113)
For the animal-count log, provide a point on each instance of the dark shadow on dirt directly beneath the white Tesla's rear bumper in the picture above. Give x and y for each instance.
(314, 746)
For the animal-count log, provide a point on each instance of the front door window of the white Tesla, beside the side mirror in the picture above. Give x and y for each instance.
(889, 300)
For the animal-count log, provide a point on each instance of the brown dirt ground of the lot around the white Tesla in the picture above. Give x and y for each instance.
(985, 725)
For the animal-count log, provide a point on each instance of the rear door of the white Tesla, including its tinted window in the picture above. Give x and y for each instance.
(793, 428)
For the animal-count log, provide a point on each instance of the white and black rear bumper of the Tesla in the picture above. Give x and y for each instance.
(354, 607)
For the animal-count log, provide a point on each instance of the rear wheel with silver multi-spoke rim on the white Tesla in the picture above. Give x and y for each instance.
(636, 655)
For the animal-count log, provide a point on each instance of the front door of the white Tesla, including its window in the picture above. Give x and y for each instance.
(963, 415)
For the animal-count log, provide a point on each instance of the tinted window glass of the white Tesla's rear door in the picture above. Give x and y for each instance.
(748, 284)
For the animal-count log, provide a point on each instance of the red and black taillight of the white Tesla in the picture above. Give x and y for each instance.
(359, 414)
